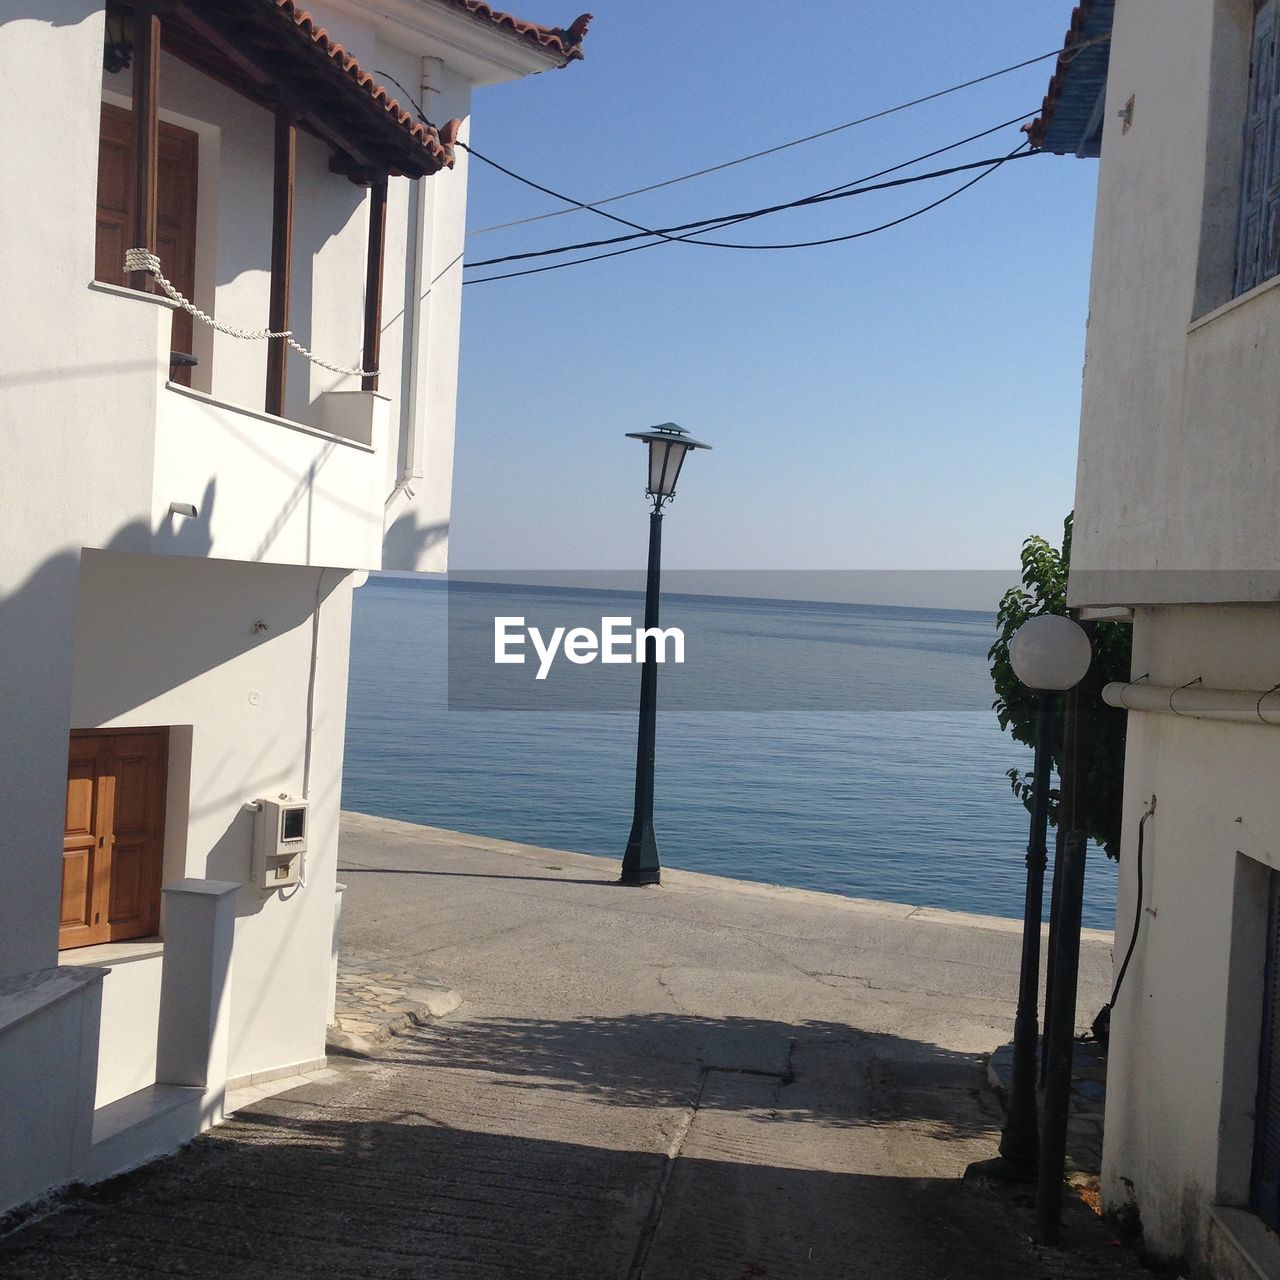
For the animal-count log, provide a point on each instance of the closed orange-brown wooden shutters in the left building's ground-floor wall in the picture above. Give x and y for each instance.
(113, 843)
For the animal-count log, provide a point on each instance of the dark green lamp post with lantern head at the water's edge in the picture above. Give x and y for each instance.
(669, 446)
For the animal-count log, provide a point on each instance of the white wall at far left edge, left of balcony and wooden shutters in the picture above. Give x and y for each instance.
(76, 450)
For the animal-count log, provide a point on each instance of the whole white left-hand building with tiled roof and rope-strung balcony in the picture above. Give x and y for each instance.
(179, 545)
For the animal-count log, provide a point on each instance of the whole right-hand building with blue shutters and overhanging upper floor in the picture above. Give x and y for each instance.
(1178, 520)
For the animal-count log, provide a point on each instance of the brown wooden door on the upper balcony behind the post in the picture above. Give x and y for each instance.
(176, 212)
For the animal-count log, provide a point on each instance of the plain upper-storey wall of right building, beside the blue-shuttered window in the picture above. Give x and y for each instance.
(1164, 446)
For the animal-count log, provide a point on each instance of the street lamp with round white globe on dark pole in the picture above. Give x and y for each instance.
(1049, 655)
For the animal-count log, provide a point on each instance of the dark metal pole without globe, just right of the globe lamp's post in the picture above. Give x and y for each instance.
(1062, 1036)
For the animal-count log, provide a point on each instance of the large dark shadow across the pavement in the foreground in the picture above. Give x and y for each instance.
(303, 1190)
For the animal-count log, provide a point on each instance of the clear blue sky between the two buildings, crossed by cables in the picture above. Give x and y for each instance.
(904, 401)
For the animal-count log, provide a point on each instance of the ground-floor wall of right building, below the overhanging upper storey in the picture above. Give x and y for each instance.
(1185, 1040)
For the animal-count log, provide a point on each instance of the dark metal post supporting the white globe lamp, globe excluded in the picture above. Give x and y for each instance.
(1020, 1145)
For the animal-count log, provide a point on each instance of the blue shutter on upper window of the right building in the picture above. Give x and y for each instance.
(1259, 236)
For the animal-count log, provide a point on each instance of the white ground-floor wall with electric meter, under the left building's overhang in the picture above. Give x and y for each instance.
(245, 697)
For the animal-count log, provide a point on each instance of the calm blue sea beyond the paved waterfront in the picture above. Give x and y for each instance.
(911, 806)
